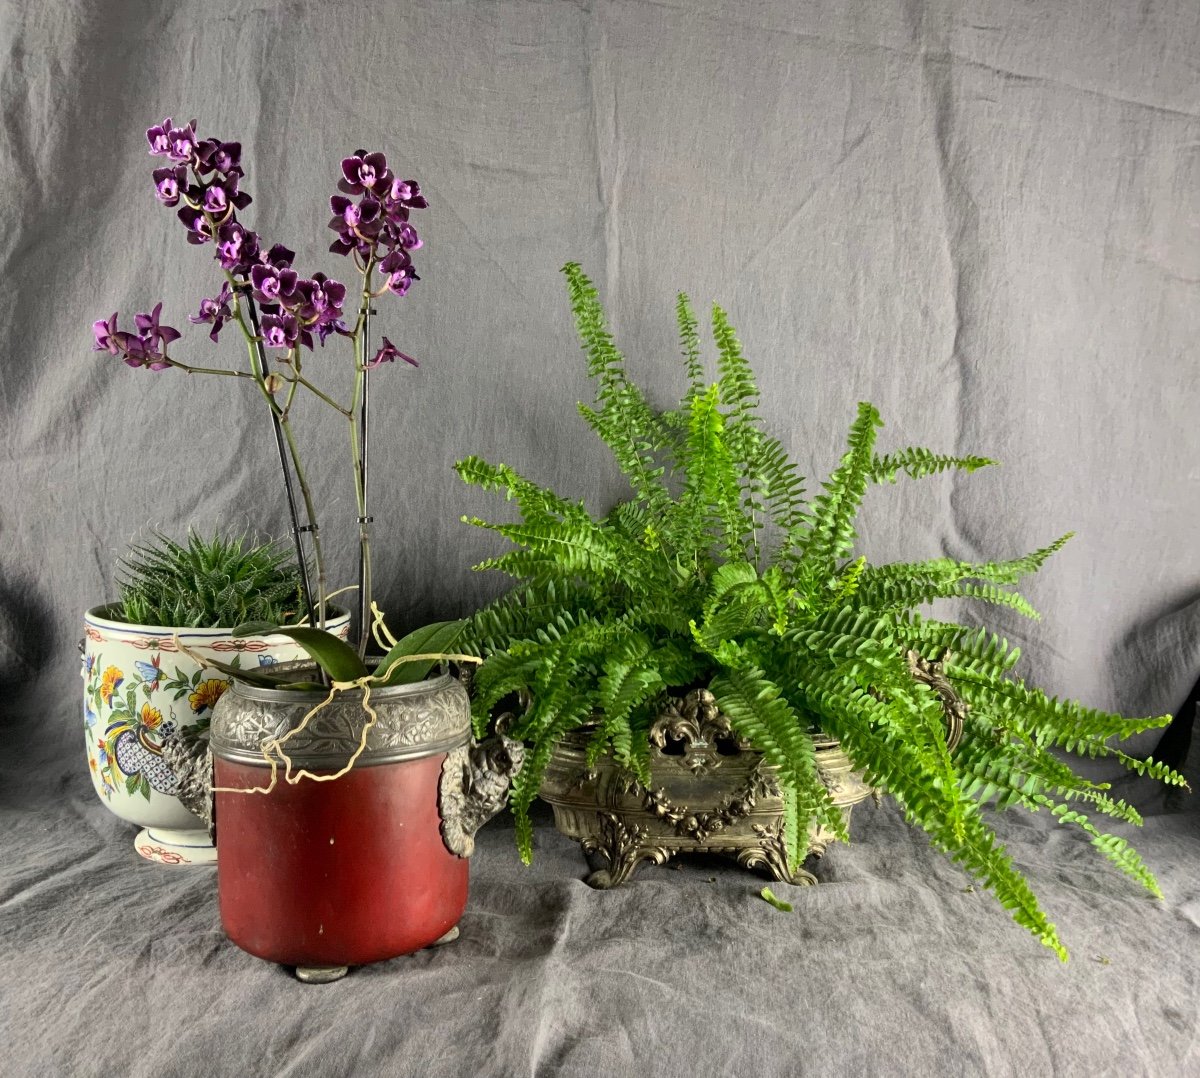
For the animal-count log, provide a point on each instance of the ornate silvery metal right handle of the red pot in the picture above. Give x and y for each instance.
(475, 788)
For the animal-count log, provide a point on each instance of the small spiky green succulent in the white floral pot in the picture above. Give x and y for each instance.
(220, 582)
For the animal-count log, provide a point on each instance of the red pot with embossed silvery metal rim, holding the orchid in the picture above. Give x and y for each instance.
(326, 873)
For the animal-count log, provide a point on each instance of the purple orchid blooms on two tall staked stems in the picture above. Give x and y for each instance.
(280, 313)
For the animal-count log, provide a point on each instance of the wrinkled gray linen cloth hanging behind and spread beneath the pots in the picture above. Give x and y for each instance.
(983, 217)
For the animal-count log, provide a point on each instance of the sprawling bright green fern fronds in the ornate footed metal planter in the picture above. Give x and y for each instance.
(722, 572)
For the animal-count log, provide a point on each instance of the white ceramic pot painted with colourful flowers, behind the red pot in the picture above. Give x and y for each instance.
(140, 692)
